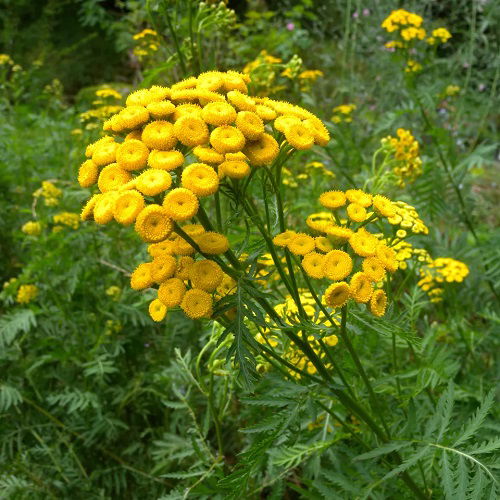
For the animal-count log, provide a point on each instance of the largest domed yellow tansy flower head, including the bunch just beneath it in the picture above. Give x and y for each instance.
(146, 176)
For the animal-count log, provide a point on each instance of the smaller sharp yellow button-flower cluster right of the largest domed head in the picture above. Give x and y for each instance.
(346, 248)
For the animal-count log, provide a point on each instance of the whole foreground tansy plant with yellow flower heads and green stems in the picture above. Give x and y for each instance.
(196, 170)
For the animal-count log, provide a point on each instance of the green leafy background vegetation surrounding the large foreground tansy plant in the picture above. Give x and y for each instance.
(98, 401)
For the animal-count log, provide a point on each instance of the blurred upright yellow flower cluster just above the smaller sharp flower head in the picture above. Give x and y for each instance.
(405, 148)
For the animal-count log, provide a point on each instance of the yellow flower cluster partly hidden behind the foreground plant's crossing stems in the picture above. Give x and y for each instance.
(289, 312)
